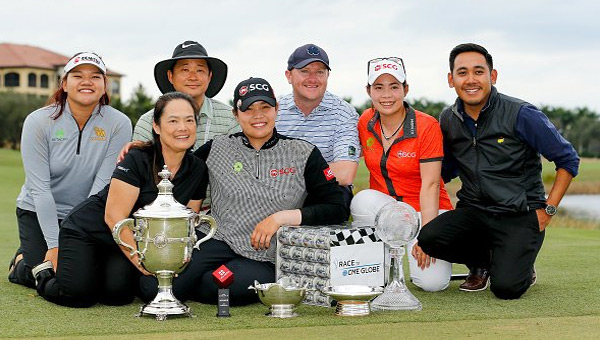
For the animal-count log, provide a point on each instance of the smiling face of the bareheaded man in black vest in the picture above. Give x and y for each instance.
(472, 80)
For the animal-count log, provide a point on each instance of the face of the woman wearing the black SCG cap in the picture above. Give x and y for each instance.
(257, 122)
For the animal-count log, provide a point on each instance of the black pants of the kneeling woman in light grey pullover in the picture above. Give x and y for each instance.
(32, 245)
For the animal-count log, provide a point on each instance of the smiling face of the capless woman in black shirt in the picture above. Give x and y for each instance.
(177, 127)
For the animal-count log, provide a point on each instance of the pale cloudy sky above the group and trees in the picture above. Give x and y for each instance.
(546, 52)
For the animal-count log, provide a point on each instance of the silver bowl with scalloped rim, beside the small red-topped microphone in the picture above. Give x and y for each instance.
(281, 297)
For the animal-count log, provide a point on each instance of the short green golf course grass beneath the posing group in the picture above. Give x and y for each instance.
(564, 304)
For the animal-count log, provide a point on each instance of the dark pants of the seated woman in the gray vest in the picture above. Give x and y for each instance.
(196, 281)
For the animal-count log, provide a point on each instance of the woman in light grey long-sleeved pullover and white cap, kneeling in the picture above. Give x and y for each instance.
(69, 150)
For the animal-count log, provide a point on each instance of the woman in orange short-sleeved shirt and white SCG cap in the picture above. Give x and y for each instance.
(402, 148)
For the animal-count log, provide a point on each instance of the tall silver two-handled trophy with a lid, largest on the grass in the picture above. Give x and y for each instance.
(164, 233)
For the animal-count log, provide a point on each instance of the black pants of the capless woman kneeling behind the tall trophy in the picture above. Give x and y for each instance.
(91, 267)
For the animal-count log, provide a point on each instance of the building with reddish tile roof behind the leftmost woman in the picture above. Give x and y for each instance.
(34, 70)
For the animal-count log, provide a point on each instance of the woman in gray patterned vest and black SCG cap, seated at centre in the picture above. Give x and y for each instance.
(259, 181)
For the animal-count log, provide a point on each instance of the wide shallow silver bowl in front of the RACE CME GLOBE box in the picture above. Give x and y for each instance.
(352, 300)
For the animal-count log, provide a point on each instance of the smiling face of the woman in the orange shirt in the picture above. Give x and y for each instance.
(387, 95)
